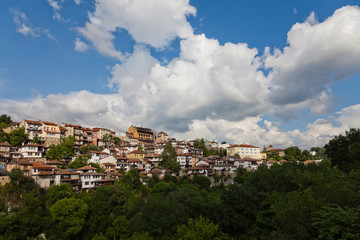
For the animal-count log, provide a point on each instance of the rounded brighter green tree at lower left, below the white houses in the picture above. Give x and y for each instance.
(68, 215)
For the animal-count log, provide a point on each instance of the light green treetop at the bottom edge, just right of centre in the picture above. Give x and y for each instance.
(200, 229)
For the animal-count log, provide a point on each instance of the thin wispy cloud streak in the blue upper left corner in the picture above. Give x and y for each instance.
(24, 26)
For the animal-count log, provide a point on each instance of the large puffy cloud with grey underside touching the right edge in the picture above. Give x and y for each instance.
(318, 55)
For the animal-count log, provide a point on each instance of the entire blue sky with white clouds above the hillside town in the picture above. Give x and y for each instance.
(258, 72)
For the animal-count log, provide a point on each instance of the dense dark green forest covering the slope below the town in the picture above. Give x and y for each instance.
(288, 201)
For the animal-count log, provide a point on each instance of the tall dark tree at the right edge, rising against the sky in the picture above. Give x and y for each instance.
(344, 150)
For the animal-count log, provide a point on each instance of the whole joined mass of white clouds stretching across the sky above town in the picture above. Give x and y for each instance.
(212, 90)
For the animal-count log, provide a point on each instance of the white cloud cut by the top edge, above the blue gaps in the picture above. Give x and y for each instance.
(154, 23)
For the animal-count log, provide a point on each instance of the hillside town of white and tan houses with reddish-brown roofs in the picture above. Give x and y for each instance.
(114, 154)
